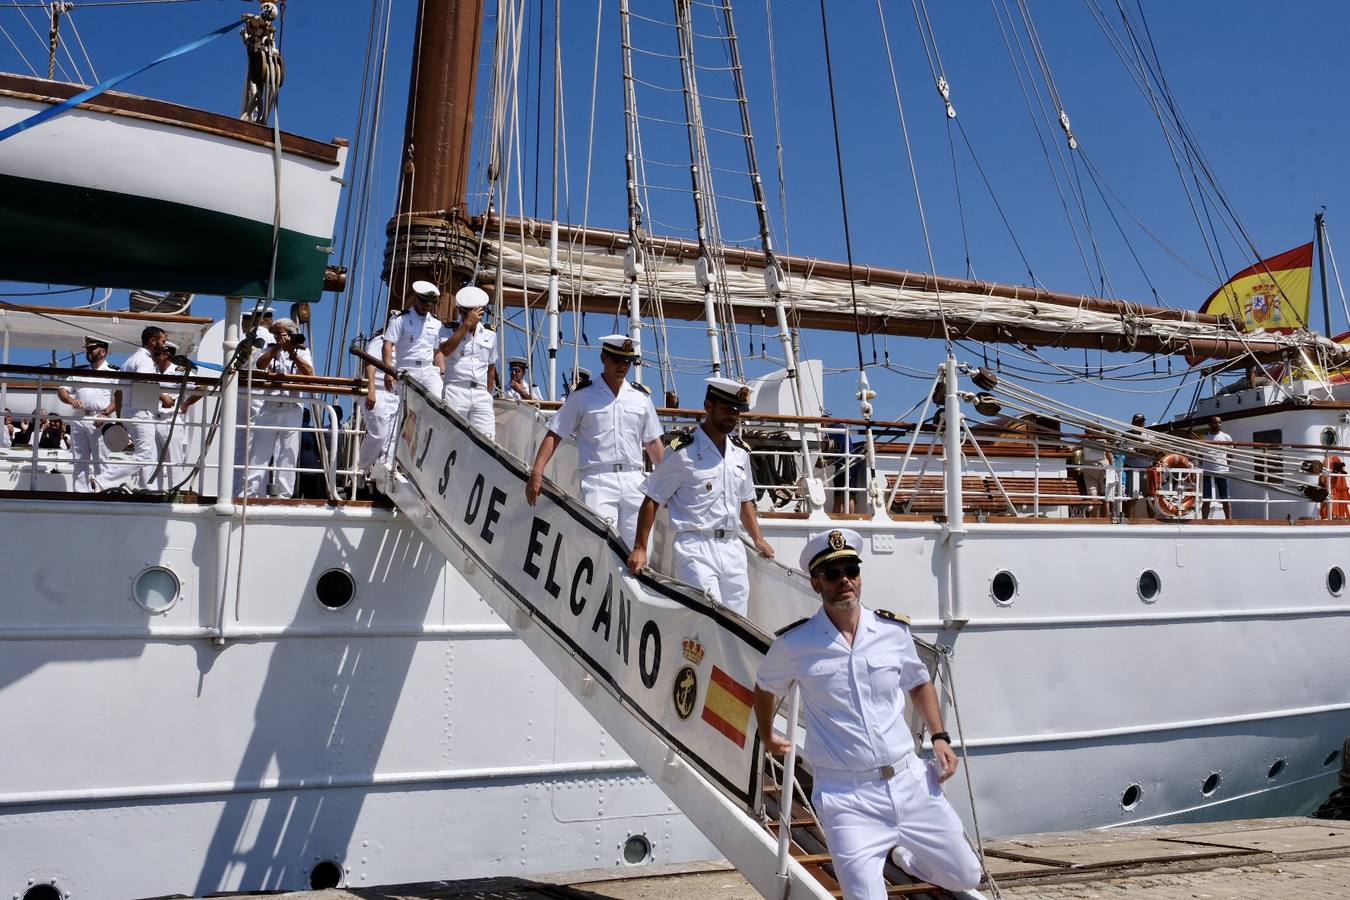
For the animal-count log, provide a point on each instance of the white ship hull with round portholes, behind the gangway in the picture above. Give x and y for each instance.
(411, 736)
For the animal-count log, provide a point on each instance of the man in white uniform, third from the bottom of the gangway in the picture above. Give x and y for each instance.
(614, 423)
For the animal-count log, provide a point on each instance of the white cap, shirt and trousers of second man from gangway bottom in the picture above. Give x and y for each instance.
(705, 492)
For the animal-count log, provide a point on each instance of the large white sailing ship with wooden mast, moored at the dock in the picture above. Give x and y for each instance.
(283, 694)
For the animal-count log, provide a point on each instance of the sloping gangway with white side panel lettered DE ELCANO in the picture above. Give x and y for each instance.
(668, 674)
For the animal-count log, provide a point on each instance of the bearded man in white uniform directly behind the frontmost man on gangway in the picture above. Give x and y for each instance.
(705, 478)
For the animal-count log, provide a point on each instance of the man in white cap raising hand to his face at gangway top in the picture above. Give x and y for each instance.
(472, 362)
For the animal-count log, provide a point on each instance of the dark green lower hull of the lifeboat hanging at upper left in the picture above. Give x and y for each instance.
(59, 234)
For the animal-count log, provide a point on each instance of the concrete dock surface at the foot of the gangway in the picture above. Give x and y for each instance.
(1251, 860)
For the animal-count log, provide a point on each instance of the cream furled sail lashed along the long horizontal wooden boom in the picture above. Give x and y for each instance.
(890, 302)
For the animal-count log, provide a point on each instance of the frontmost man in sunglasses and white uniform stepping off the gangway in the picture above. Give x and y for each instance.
(874, 797)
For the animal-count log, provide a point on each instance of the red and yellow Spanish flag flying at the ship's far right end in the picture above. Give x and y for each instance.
(1272, 296)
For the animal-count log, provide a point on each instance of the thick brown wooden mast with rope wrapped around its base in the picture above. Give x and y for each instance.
(430, 238)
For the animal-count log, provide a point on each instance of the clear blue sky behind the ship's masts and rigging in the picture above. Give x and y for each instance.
(1262, 87)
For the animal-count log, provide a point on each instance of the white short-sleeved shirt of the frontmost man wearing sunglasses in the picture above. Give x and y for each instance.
(854, 696)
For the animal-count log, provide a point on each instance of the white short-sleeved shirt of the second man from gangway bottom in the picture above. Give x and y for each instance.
(705, 490)
